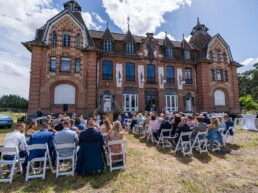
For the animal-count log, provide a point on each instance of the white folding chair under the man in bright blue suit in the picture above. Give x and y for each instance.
(43, 159)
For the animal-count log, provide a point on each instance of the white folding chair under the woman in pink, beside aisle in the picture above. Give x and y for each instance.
(122, 153)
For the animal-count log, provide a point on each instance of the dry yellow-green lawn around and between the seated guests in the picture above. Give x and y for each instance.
(153, 169)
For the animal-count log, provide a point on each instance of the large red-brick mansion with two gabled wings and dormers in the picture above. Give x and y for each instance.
(100, 71)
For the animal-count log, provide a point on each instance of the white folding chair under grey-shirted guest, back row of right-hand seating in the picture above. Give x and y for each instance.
(201, 141)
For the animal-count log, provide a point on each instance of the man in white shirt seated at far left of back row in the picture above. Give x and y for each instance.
(16, 139)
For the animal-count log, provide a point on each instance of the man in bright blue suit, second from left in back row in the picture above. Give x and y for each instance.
(42, 137)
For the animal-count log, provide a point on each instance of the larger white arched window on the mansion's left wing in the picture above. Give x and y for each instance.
(64, 94)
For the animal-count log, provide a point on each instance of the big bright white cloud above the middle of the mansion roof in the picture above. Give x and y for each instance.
(145, 15)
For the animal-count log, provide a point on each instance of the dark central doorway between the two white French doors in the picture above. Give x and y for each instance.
(151, 100)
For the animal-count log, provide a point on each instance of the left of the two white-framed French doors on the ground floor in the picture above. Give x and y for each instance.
(130, 102)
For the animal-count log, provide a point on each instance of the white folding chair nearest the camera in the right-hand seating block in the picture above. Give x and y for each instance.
(184, 145)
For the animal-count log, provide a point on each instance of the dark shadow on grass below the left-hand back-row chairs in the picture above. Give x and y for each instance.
(61, 184)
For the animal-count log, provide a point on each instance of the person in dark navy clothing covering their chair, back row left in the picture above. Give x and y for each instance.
(91, 155)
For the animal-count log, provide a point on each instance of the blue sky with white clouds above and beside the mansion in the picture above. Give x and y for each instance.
(235, 20)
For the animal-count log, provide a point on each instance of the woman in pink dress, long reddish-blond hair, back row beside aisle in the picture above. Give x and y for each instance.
(115, 134)
